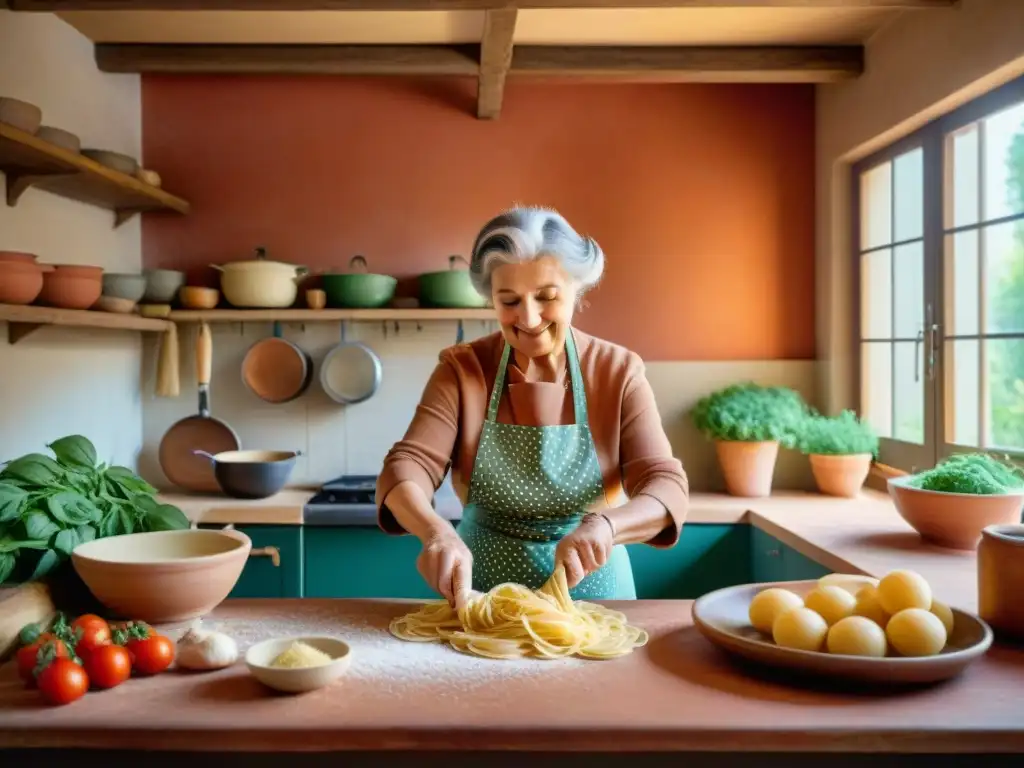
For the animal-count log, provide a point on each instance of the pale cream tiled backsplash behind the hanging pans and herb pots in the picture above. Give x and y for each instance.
(339, 440)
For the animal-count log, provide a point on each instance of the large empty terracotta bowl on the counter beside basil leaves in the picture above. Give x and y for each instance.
(163, 577)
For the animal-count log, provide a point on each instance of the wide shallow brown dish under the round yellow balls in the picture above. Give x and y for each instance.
(722, 618)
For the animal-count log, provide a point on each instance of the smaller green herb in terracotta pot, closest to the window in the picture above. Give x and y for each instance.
(841, 450)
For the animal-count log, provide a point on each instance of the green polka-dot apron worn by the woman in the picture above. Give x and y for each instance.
(531, 487)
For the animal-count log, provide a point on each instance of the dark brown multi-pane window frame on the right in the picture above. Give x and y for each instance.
(931, 139)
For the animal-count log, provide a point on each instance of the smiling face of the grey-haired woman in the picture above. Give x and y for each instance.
(535, 302)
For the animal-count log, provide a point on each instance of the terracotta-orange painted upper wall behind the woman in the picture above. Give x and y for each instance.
(702, 196)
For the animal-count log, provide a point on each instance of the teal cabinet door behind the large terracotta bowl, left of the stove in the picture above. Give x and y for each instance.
(275, 568)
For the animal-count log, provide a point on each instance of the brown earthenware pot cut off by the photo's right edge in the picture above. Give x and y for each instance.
(1001, 579)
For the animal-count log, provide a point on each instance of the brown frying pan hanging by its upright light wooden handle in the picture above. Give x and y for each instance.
(182, 466)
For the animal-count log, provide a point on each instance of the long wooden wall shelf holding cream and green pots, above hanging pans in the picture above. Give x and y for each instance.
(328, 316)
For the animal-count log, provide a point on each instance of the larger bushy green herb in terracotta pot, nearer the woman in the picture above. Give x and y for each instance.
(748, 422)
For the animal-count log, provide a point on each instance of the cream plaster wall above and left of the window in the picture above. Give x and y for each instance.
(920, 67)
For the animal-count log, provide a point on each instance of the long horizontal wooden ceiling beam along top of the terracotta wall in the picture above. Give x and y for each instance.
(638, 64)
